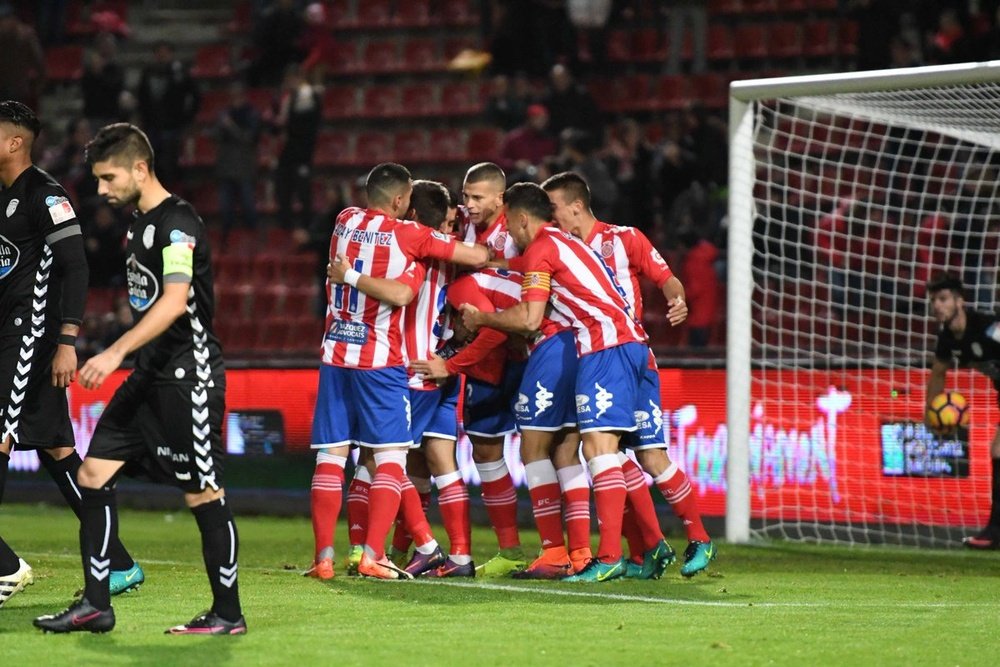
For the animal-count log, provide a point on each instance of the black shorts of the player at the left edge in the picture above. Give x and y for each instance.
(34, 413)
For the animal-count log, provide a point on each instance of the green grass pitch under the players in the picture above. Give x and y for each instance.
(773, 604)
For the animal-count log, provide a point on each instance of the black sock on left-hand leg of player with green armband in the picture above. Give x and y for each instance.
(98, 525)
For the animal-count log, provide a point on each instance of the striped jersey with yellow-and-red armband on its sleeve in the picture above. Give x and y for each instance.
(581, 290)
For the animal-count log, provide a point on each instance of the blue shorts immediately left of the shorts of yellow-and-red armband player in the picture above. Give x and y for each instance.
(545, 398)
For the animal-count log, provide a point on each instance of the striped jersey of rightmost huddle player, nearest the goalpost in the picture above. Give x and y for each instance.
(628, 252)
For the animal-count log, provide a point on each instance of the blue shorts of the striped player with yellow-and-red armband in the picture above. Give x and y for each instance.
(607, 388)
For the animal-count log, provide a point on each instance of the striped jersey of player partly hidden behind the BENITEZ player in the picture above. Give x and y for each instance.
(424, 318)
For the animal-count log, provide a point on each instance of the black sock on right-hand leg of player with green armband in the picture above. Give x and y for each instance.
(220, 546)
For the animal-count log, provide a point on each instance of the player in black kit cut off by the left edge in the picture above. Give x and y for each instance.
(43, 289)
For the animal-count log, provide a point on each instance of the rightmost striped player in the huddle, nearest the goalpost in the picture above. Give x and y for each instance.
(631, 256)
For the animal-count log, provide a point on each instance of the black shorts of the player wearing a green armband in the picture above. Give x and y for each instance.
(169, 433)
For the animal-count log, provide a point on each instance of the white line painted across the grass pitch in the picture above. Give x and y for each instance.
(597, 595)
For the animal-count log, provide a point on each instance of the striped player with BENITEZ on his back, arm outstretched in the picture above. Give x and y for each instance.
(363, 394)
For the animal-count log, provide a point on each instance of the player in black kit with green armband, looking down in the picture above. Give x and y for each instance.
(165, 421)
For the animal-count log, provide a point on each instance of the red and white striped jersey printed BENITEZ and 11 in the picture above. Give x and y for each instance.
(361, 331)
